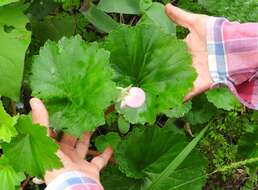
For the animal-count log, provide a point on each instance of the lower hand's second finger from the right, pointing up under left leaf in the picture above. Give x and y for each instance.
(82, 145)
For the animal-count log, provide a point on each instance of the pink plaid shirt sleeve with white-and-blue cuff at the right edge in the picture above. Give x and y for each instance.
(233, 58)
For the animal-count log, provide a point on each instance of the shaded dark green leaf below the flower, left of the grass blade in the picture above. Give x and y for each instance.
(134, 160)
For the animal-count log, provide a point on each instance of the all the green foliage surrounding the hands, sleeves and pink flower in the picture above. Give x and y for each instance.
(79, 57)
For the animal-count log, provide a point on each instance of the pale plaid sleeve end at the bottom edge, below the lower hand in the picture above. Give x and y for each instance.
(73, 180)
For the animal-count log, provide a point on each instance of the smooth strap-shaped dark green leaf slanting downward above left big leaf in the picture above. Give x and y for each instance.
(100, 19)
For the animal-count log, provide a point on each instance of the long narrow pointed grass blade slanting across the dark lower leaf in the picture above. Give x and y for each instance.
(158, 180)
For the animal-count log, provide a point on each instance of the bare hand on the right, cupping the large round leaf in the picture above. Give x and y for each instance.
(197, 46)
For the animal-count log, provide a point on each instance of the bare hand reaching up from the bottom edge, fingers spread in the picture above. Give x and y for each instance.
(72, 151)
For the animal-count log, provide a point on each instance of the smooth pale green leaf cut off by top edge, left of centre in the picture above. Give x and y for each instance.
(121, 6)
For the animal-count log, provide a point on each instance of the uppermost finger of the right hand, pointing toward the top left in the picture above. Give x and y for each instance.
(180, 17)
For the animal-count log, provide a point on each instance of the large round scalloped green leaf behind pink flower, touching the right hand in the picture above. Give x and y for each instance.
(157, 62)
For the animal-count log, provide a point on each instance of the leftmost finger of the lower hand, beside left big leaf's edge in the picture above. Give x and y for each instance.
(40, 115)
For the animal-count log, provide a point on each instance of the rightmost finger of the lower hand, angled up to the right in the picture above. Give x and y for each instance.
(102, 160)
